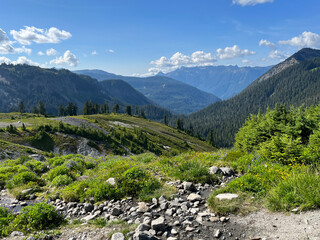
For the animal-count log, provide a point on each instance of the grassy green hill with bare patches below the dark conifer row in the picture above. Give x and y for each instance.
(94, 135)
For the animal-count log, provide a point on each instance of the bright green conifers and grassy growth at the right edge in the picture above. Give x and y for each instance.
(280, 159)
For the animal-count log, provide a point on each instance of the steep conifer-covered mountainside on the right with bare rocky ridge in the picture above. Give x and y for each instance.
(295, 85)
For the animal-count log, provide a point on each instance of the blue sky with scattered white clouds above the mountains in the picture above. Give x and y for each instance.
(146, 36)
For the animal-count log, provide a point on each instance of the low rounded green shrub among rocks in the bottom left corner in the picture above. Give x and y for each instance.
(40, 216)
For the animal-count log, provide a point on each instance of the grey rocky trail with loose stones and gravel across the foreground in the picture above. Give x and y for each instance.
(185, 216)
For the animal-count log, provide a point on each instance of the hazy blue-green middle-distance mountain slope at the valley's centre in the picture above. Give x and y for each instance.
(171, 94)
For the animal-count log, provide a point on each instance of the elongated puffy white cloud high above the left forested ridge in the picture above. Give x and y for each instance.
(32, 34)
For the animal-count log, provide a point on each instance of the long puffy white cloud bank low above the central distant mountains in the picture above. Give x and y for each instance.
(198, 58)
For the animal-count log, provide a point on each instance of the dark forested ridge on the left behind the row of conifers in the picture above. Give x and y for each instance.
(54, 87)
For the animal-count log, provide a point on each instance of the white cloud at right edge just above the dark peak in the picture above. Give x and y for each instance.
(306, 39)
